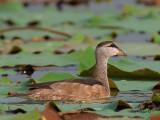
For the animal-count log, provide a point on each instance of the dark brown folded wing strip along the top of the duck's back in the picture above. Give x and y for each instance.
(47, 85)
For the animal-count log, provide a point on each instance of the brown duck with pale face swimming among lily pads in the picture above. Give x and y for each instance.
(79, 89)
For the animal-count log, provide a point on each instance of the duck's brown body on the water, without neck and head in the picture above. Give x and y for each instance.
(71, 89)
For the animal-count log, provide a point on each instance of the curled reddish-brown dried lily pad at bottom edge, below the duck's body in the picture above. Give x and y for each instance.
(52, 112)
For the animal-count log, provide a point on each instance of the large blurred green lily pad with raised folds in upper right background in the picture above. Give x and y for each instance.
(129, 19)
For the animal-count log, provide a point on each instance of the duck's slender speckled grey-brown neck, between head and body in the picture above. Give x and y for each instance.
(100, 73)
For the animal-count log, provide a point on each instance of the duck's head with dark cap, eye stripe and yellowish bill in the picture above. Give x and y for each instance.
(107, 49)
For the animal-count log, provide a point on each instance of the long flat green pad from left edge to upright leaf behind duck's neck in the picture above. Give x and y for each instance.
(24, 58)
